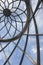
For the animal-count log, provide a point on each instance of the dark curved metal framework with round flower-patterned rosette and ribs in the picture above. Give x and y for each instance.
(8, 14)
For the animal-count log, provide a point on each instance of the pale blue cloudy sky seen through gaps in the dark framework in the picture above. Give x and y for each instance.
(31, 47)
